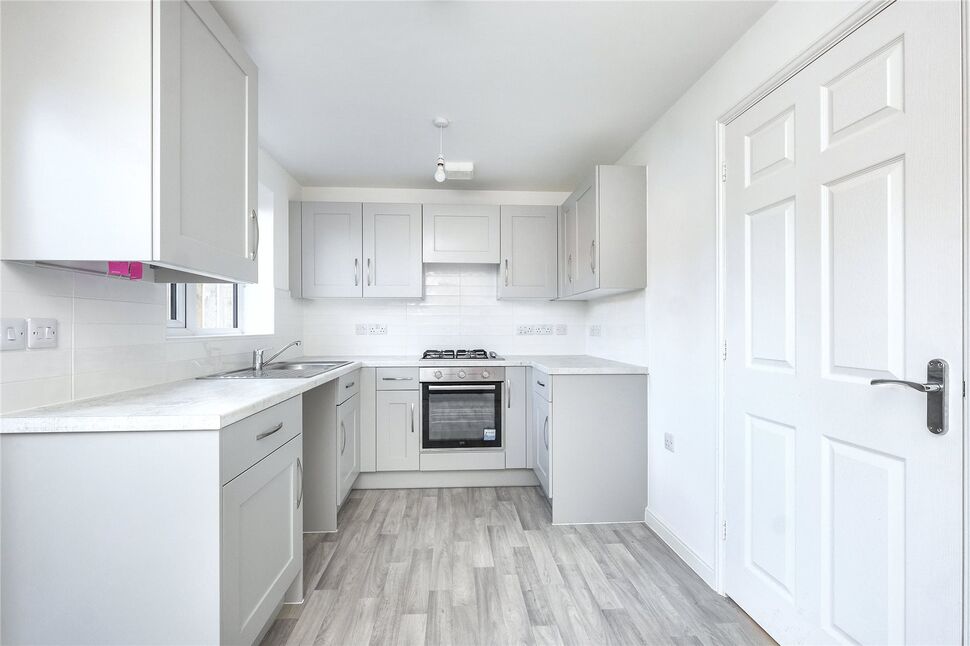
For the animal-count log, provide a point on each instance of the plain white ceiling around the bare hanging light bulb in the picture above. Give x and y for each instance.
(537, 92)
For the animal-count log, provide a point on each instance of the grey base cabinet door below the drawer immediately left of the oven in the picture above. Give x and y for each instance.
(398, 430)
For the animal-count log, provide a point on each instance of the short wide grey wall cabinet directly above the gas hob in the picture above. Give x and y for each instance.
(462, 233)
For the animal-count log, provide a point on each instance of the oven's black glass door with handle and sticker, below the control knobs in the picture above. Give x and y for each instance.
(461, 416)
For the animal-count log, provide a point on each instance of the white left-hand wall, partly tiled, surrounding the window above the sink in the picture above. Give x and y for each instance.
(113, 332)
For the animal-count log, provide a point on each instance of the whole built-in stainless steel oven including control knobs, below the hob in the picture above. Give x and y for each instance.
(462, 407)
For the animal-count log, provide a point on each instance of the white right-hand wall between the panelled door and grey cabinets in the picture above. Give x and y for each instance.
(678, 307)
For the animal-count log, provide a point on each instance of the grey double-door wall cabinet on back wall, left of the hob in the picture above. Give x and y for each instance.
(351, 250)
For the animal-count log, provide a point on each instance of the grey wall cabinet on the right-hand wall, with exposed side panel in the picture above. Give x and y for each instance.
(604, 236)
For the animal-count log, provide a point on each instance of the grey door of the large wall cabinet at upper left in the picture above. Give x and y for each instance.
(206, 218)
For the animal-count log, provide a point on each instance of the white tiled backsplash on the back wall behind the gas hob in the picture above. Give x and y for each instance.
(459, 309)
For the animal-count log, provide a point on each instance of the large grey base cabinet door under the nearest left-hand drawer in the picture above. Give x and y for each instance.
(262, 541)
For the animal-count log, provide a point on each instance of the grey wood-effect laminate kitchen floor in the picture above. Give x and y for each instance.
(485, 566)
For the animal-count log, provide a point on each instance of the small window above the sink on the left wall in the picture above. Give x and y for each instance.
(204, 308)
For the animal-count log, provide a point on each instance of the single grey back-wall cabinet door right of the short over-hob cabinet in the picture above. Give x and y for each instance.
(529, 252)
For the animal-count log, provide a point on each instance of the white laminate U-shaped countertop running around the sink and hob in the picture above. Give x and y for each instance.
(211, 404)
